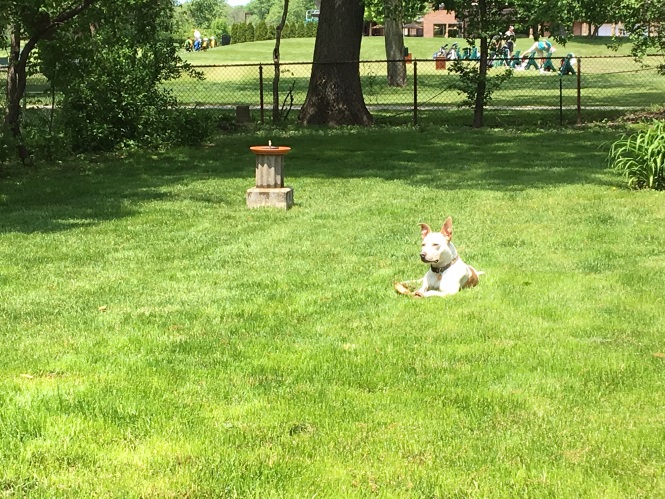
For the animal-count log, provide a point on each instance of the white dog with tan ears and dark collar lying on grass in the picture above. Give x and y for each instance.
(448, 273)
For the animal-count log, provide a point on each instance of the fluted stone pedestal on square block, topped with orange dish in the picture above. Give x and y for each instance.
(270, 190)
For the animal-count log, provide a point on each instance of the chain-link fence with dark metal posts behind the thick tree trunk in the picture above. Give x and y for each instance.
(588, 89)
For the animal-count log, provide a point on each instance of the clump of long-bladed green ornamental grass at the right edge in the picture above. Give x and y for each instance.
(640, 157)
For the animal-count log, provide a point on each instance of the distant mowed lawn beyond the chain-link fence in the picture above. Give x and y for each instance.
(609, 79)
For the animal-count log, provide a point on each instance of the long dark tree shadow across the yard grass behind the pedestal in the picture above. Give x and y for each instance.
(85, 193)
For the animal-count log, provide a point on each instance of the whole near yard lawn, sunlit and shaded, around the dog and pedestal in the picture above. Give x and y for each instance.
(160, 339)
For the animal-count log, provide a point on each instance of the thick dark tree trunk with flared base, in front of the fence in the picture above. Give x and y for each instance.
(335, 95)
